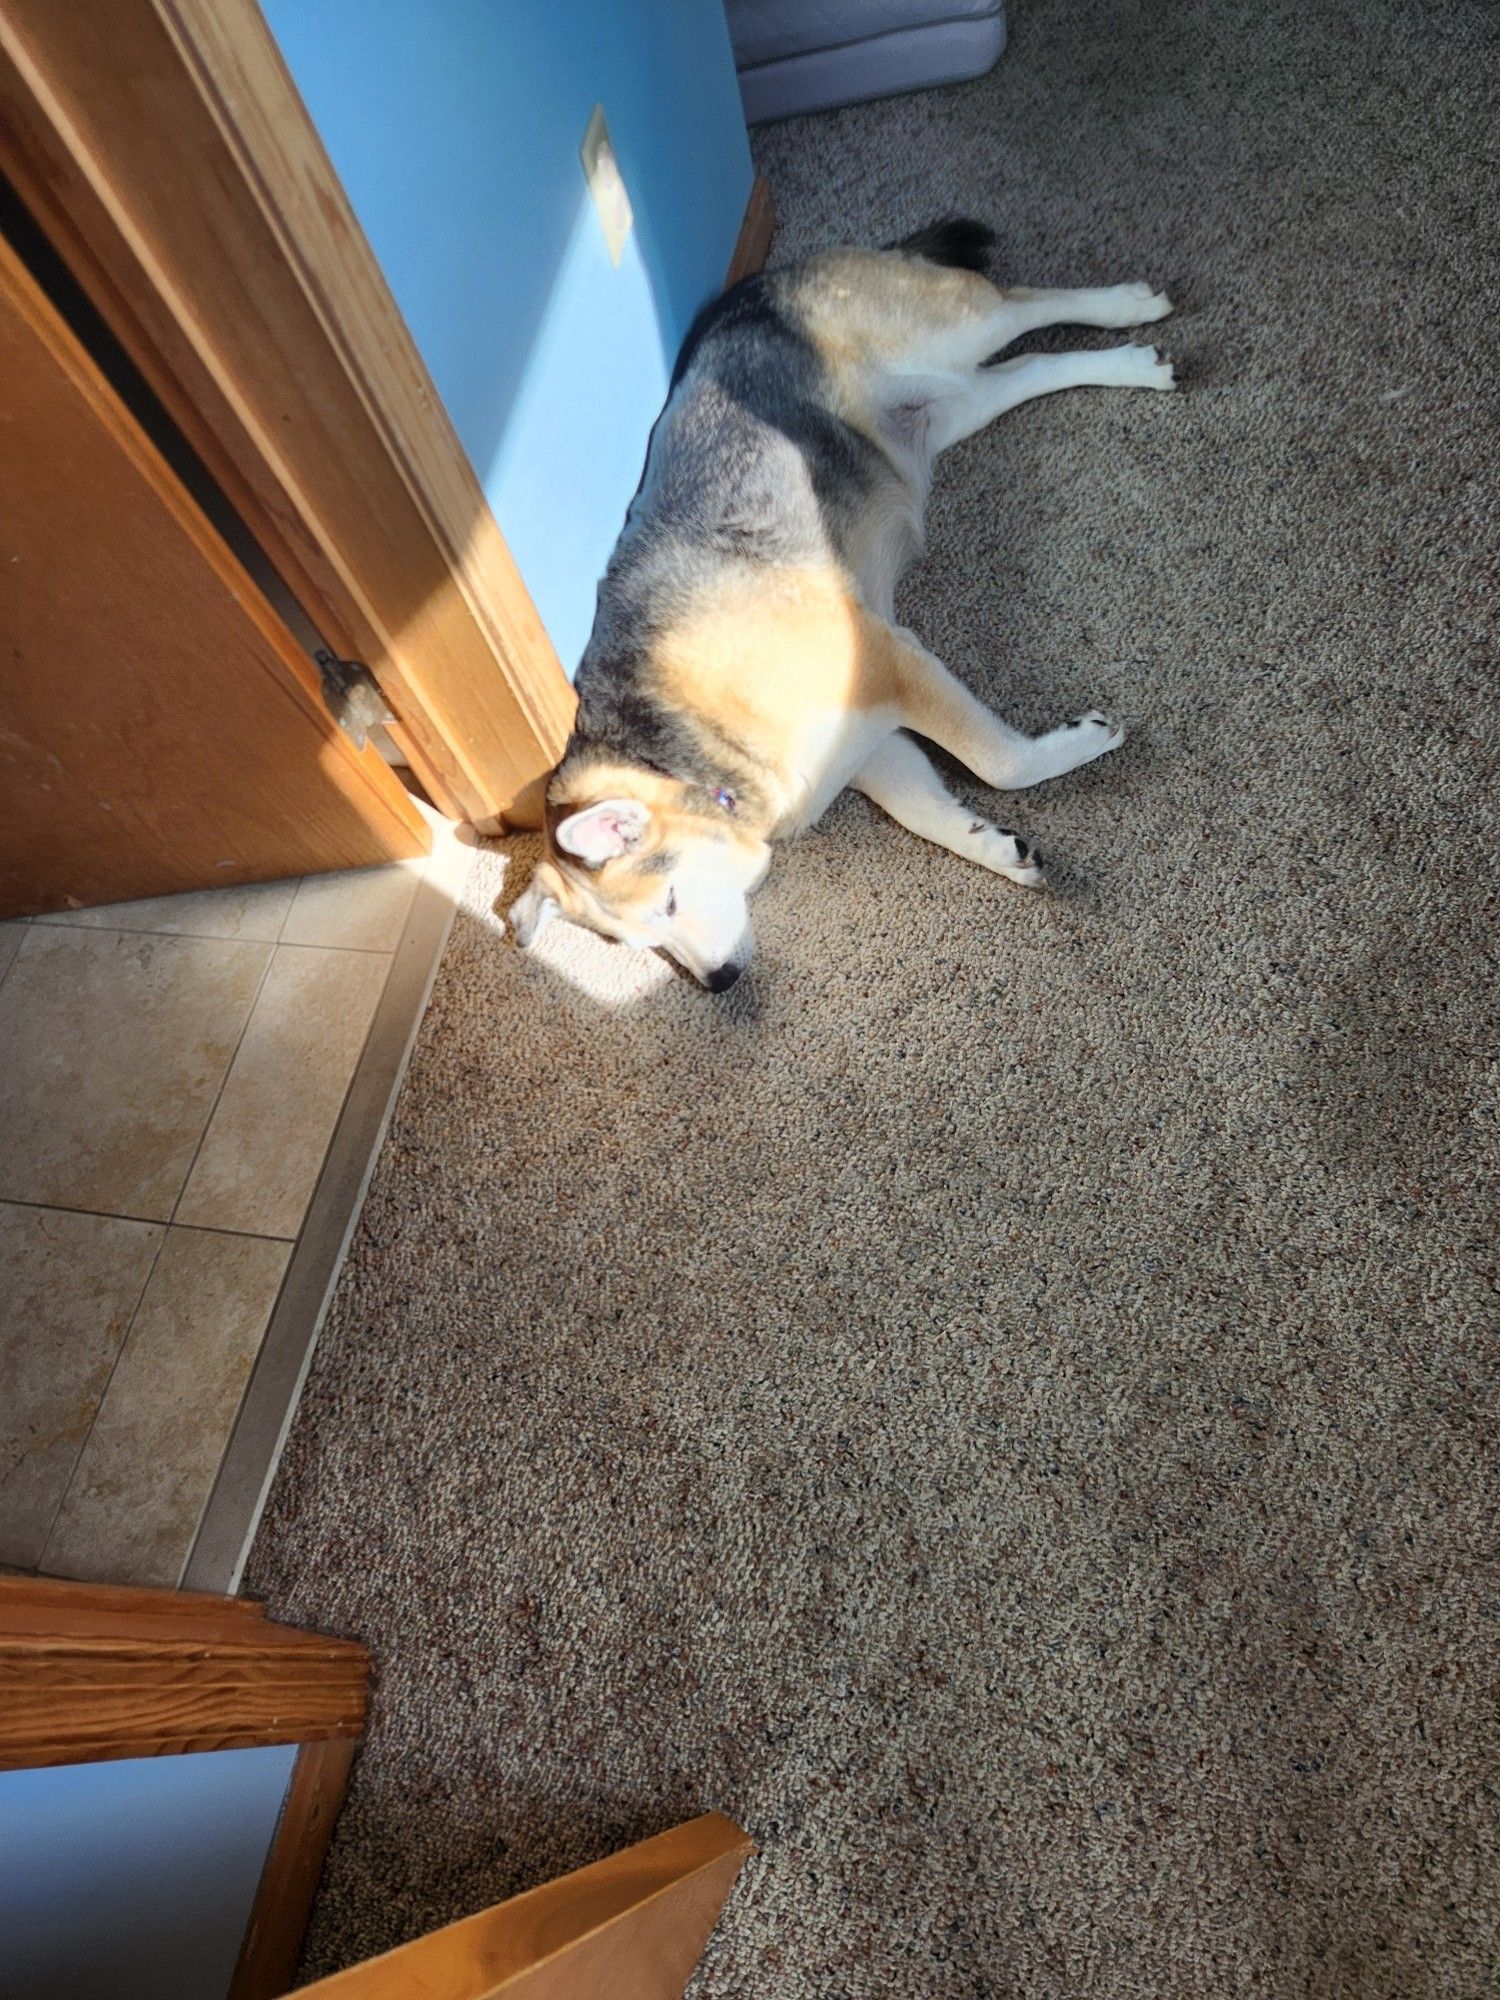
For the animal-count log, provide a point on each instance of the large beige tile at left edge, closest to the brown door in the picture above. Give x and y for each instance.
(113, 1047)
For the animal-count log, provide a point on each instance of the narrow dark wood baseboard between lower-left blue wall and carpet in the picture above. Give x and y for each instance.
(279, 1919)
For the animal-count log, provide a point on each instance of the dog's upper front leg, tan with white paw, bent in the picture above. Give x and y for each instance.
(937, 705)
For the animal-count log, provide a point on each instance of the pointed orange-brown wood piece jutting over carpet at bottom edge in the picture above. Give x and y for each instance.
(631, 1927)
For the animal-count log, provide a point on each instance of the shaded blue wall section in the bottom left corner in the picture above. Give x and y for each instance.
(135, 1881)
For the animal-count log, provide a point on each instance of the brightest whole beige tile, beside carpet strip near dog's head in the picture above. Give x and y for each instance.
(263, 1153)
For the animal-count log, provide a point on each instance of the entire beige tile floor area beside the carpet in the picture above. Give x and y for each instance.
(171, 1077)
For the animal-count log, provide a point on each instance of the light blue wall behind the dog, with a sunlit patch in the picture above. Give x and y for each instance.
(455, 127)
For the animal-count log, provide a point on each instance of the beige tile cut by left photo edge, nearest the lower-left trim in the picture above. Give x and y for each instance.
(69, 1287)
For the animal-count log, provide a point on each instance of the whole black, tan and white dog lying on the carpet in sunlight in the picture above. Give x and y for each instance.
(745, 663)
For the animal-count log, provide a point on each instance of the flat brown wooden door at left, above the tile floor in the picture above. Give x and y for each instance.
(161, 729)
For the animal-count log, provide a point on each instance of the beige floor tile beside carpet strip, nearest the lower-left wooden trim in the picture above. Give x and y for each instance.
(145, 1477)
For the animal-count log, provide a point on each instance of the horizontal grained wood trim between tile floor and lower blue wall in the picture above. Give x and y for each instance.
(93, 1675)
